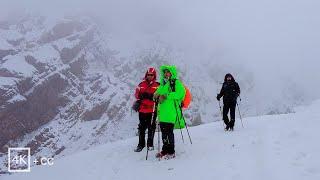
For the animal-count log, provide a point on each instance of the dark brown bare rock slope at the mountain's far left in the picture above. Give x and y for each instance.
(41, 106)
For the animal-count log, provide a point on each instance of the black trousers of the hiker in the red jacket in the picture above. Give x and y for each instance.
(146, 123)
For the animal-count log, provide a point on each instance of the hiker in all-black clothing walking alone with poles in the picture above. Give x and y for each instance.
(230, 91)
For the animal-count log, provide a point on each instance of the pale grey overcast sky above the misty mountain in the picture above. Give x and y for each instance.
(274, 39)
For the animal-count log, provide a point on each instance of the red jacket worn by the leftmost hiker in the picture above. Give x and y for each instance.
(145, 92)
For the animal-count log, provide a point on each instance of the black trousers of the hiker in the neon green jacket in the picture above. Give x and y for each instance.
(167, 137)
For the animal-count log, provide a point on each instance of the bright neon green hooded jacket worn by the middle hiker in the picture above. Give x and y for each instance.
(169, 110)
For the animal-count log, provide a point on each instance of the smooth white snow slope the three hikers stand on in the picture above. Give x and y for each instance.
(267, 148)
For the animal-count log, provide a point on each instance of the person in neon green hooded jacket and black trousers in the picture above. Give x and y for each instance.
(170, 94)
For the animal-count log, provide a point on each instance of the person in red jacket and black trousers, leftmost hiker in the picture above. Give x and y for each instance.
(145, 105)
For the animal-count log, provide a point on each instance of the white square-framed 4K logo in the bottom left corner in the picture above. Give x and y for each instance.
(19, 160)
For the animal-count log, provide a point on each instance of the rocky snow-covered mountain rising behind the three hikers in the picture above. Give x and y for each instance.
(66, 85)
